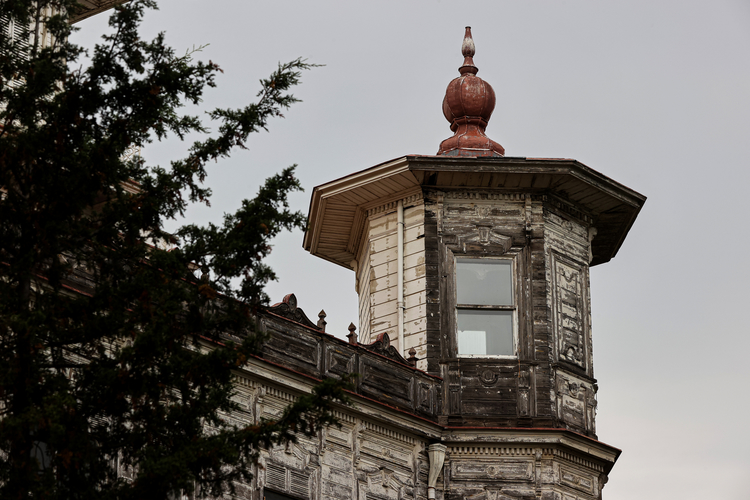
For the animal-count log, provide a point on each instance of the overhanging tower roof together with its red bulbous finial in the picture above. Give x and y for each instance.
(469, 160)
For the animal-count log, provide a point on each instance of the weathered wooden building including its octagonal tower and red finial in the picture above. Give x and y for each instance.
(474, 350)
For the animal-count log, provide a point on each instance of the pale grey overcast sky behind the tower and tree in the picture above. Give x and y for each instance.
(654, 94)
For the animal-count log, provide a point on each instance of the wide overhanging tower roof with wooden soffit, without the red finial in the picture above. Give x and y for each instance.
(338, 208)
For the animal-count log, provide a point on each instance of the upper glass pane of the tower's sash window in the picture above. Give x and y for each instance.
(484, 282)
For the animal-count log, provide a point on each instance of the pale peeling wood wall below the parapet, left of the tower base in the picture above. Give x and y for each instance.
(360, 459)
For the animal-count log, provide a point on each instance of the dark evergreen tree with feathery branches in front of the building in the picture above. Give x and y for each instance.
(117, 339)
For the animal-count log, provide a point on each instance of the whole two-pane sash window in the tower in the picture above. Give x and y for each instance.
(485, 307)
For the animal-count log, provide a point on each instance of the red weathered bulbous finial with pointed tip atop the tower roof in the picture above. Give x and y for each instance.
(468, 105)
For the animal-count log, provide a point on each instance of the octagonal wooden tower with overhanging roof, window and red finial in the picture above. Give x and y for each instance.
(478, 264)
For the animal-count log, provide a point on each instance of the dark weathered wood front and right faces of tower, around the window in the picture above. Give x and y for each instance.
(550, 382)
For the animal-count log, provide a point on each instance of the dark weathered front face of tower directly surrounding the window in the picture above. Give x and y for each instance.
(488, 391)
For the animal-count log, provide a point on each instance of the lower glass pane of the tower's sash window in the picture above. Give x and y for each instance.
(485, 332)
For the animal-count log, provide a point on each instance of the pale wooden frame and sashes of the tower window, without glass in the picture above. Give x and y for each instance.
(514, 309)
